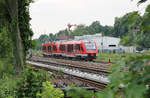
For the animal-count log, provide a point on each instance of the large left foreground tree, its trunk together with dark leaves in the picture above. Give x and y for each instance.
(14, 17)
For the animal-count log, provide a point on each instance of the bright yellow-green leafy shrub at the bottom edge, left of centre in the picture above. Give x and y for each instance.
(49, 91)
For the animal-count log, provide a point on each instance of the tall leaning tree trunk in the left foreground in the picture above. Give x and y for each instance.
(12, 6)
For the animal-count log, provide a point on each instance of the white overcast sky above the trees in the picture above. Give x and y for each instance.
(50, 16)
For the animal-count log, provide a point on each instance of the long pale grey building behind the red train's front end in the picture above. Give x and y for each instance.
(103, 42)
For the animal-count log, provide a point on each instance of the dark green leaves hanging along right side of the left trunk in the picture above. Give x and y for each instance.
(24, 24)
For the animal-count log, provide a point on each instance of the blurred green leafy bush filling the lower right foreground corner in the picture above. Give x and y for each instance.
(133, 73)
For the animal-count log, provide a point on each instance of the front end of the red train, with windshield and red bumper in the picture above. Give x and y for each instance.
(91, 48)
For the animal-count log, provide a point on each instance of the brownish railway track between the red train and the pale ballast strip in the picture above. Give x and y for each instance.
(85, 66)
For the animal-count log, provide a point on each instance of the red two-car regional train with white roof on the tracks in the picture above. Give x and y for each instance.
(73, 49)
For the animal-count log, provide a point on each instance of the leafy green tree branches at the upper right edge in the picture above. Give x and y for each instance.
(139, 30)
